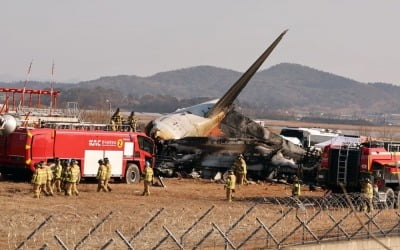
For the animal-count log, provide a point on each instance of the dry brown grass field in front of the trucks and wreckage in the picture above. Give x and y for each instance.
(184, 201)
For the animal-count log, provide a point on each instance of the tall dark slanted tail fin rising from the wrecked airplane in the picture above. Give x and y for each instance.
(235, 90)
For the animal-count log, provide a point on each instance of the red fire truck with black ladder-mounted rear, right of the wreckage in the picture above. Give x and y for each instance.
(349, 164)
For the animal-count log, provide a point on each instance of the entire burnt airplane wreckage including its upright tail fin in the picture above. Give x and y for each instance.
(206, 138)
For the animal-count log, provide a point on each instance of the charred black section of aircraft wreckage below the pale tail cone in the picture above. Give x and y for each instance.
(267, 155)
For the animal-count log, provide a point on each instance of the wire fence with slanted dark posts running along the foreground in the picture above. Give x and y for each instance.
(260, 223)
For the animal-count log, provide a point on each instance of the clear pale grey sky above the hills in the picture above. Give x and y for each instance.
(88, 39)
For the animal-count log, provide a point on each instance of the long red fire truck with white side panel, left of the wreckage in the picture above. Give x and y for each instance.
(127, 151)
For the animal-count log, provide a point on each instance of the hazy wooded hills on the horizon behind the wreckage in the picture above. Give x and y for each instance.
(280, 88)
